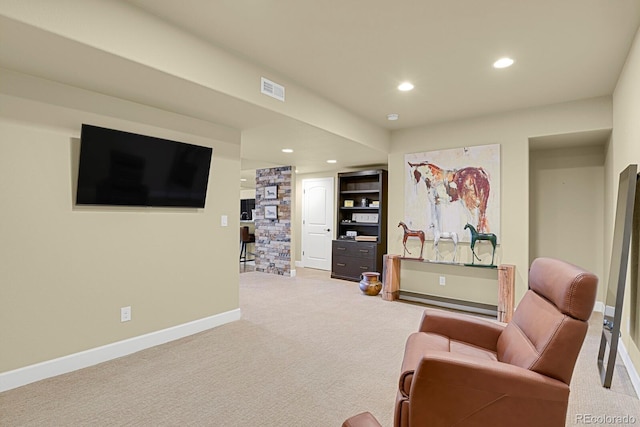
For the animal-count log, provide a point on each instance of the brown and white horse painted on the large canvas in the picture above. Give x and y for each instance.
(469, 185)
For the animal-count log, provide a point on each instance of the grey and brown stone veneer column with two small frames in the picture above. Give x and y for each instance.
(273, 236)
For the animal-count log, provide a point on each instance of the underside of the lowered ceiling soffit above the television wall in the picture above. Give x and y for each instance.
(82, 68)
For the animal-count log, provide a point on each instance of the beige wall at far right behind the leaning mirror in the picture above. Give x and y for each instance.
(623, 150)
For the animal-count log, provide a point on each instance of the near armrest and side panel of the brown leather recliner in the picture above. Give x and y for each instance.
(457, 389)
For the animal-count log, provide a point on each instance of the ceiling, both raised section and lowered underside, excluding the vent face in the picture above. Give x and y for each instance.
(354, 54)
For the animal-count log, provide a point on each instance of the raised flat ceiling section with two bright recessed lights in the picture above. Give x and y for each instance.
(355, 53)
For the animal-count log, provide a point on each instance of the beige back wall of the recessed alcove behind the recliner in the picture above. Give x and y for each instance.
(566, 206)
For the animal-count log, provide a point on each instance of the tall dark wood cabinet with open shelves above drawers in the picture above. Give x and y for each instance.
(362, 224)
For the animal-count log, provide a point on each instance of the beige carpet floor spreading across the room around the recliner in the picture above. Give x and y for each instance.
(308, 351)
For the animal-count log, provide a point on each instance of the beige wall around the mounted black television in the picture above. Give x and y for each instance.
(67, 270)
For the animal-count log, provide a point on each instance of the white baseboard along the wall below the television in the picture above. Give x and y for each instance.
(62, 365)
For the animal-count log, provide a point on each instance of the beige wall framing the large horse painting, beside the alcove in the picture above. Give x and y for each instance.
(512, 131)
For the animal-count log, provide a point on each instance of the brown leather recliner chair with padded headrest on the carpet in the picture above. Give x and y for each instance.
(460, 370)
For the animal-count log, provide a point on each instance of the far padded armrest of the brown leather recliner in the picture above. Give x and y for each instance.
(462, 327)
